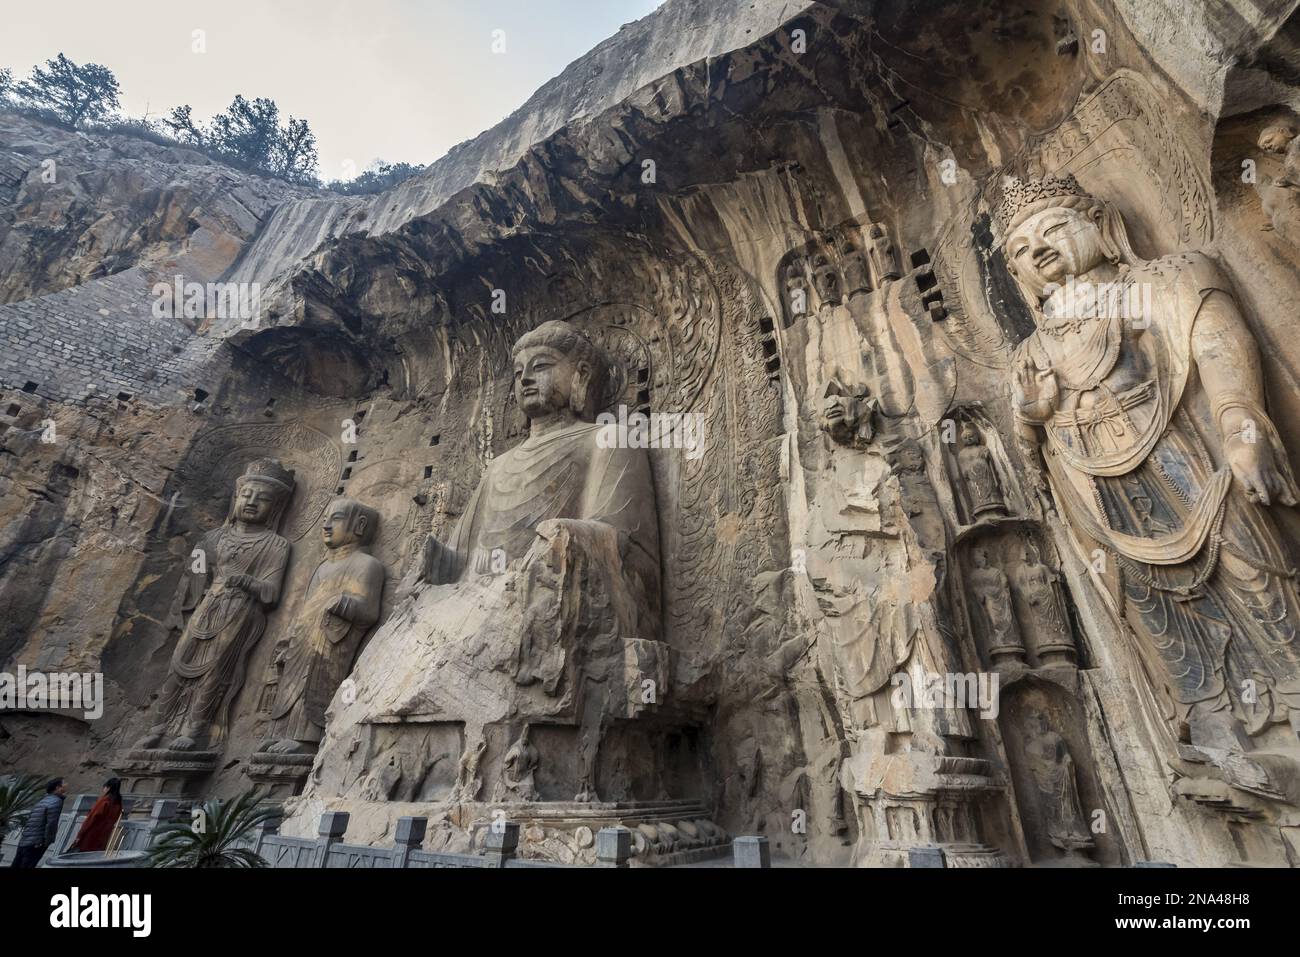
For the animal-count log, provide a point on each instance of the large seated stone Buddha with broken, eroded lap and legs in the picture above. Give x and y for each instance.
(544, 601)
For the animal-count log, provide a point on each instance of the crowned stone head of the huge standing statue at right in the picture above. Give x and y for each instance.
(1052, 231)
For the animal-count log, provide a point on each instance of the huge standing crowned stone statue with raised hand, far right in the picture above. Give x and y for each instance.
(1159, 451)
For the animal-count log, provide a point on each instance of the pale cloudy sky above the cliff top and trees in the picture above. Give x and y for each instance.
(393, 80)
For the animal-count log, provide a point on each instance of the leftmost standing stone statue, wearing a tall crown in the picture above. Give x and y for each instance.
(229, 591)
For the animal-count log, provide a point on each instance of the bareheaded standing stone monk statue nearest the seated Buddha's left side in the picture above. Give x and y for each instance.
(343, 603)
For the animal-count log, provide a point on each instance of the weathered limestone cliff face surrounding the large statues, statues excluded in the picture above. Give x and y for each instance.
(818, 231)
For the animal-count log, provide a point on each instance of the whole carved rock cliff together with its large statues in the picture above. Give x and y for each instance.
(796, 240)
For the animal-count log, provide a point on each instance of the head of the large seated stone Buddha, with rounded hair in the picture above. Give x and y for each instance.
(558, 371)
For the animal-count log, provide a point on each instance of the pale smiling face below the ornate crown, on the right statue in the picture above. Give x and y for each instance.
(1054, 245)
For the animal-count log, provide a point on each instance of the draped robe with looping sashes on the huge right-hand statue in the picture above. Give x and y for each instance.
(1136, 461)
